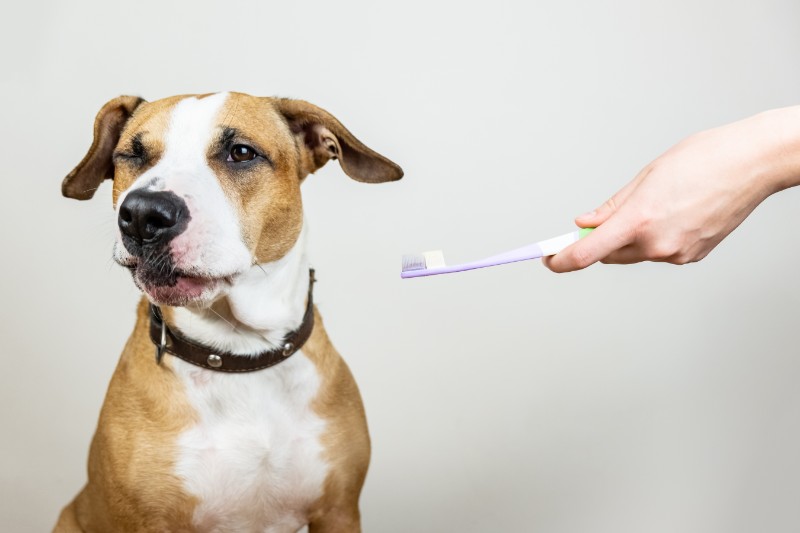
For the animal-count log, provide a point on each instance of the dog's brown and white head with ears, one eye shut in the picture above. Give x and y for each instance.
(207, 186)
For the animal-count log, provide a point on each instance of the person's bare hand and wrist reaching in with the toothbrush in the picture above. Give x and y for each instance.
(680, 206)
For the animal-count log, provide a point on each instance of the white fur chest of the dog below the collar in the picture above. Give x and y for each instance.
(254, 458)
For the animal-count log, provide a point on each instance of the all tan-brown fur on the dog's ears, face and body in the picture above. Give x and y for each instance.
(131, 485)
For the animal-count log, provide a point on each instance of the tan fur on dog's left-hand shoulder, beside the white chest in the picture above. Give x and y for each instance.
(131, 486)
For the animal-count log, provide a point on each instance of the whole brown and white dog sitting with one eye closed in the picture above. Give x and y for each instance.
(210, 223)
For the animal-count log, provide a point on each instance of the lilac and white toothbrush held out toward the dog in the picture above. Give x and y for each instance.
(432, 263)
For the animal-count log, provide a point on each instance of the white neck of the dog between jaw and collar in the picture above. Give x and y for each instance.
(260, 308)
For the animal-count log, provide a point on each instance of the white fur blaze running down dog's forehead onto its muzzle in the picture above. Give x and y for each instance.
(212, 245)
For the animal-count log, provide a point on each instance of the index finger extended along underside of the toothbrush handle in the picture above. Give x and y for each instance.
(606, 239)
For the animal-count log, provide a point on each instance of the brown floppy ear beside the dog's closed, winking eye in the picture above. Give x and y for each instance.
(97, 165)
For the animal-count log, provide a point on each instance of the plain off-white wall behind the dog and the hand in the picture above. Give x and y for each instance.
(648, 398)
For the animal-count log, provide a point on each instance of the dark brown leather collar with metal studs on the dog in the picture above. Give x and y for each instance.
(167, 340)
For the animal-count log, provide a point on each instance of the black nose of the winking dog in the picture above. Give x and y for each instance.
(150, 217)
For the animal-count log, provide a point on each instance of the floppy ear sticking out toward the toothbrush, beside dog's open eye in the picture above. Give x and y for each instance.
(326, 138)
